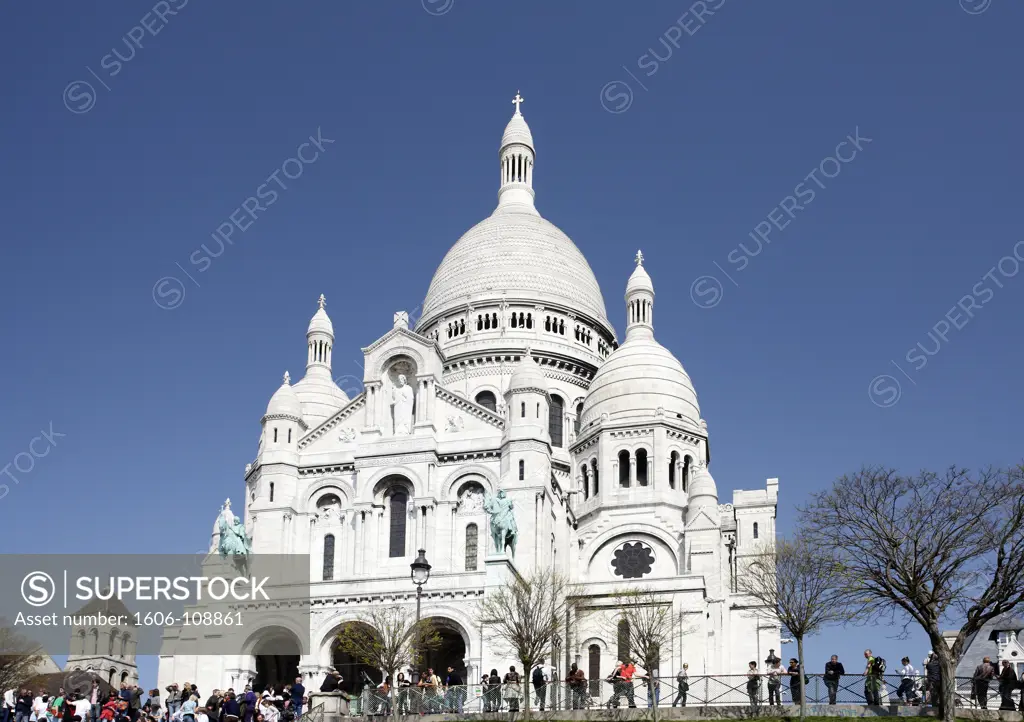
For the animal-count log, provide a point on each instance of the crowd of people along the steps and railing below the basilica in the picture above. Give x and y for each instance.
(420, 693)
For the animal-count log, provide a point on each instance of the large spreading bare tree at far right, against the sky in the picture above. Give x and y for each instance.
(929, 547)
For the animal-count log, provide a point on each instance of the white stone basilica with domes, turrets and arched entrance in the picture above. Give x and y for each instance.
(513, 379)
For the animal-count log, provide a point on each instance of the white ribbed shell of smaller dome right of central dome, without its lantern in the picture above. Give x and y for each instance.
(641, 377)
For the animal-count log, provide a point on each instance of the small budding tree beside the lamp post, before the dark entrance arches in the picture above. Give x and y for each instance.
(390, 640)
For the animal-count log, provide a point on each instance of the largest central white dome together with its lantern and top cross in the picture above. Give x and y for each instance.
(516, 256)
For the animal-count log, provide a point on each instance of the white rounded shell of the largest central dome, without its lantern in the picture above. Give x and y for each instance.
(519, 257)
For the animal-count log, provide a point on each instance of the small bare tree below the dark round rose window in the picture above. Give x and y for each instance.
(643, 622)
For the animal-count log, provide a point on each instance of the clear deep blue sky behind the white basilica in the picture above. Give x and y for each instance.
(161, 408)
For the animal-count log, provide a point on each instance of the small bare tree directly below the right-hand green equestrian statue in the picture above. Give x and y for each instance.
(526, 617)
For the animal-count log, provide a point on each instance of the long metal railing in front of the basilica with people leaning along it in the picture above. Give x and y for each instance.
(702, 691)
